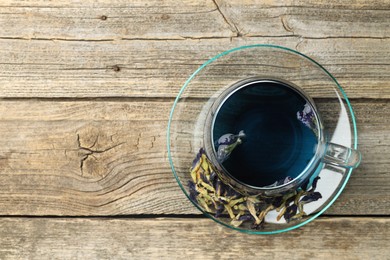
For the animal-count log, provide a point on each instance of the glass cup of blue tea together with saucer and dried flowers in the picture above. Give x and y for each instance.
(307, 139)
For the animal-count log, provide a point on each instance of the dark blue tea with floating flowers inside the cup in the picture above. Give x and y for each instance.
(264, 133)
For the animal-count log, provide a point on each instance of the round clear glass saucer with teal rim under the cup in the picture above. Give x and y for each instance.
(186, 131)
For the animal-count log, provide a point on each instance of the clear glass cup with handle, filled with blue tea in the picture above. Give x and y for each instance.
(261, 129)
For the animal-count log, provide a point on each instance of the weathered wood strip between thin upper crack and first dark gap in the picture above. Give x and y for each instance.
(159, 68)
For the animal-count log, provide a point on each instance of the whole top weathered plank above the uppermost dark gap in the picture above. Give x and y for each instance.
(137, 49)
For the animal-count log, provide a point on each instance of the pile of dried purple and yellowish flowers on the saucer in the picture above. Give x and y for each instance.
(216, 197)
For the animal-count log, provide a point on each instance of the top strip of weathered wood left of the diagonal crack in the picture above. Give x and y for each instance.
(91, 21)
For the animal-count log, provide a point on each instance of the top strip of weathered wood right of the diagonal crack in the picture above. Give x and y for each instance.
(315, 20)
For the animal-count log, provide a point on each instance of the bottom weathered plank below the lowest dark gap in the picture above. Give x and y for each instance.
(338, 238)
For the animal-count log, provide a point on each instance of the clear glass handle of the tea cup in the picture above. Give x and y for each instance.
(342, 156)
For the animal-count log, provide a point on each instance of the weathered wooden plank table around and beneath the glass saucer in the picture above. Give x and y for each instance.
(86, 89)
